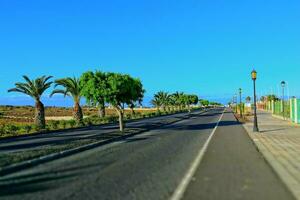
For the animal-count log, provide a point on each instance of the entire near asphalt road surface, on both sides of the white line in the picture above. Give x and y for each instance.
(152, 165)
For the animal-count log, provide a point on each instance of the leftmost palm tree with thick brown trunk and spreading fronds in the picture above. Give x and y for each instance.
(35, 89)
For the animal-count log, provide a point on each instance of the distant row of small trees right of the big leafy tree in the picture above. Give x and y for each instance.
(176, 101)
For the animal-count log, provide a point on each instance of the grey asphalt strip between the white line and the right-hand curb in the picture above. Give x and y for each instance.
(232, 168)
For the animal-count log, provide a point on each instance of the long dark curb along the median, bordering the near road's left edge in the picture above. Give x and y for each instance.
(43, 159)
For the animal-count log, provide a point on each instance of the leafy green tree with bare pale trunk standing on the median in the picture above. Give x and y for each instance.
(121, 91)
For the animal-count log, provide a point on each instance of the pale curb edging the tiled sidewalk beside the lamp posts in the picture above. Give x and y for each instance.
(288, 180)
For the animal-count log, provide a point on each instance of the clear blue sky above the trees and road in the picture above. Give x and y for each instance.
(204, 47)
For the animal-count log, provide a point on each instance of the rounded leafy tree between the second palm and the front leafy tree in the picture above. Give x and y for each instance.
(94, 88)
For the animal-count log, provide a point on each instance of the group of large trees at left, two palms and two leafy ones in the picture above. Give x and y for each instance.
(98, 88)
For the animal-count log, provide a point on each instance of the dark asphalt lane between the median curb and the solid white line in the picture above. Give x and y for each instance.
(147, 166)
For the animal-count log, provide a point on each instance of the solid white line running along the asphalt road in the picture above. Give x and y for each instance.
(179, 192)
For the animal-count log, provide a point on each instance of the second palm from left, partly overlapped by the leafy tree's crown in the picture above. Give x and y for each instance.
(73, 89)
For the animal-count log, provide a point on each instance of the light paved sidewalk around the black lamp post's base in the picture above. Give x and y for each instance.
(279, 142)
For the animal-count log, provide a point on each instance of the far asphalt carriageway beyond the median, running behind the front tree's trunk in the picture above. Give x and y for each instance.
(94, 132)
